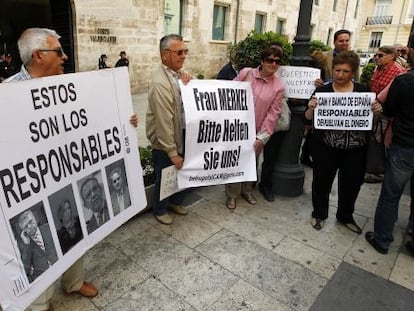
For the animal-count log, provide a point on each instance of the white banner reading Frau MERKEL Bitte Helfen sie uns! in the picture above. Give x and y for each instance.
(220, 133)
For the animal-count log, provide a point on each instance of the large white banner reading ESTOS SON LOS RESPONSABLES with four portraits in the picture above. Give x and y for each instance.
(67, 148)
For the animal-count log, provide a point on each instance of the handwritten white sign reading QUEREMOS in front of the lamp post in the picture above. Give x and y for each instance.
(299, 81)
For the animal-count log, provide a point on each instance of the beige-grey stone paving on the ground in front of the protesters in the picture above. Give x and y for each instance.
(261, 257)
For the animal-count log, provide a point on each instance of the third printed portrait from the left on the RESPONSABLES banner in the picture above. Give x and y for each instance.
(94, 201)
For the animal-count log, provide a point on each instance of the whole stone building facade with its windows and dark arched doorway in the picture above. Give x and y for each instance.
(96, 27)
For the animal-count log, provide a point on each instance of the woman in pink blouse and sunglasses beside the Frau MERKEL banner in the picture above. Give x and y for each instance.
(268, 91)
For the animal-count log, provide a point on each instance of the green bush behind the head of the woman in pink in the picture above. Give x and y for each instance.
(247, 51)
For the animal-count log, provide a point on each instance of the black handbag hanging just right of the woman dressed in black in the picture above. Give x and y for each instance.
(375, 159)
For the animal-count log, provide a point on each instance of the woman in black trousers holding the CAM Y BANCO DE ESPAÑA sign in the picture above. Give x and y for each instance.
(341, 151)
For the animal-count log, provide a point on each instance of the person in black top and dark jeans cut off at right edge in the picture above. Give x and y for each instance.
(399, 165)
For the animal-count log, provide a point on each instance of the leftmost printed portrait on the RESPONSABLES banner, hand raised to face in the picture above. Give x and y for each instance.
(34, 240)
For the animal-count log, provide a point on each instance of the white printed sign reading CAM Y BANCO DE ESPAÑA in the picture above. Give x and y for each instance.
(343, 111)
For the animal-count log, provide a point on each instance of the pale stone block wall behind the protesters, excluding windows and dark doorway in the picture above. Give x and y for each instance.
(109, 26)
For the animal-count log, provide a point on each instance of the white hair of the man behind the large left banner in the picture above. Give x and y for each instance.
(33, 39)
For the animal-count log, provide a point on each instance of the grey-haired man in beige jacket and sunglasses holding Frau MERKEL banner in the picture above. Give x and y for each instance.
(165, 122)
